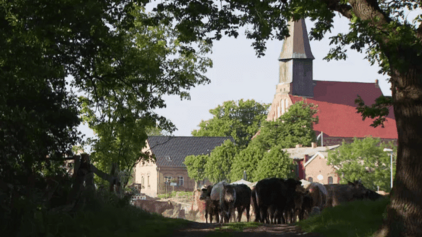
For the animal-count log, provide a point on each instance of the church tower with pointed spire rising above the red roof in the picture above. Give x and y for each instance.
(296, 62)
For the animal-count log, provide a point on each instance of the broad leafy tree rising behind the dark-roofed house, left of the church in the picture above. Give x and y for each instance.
(240, 120)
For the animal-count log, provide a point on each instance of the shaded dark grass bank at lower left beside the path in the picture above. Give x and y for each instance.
(99, 219)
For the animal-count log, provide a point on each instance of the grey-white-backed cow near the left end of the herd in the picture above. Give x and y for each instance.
(225, 194)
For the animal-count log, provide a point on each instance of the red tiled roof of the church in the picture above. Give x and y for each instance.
(337, 110)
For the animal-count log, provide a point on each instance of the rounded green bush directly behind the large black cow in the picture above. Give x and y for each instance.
(274, 164)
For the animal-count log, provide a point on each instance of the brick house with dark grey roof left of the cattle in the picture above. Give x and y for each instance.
(168, 172)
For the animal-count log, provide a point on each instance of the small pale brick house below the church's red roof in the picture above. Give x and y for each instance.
(311, 163)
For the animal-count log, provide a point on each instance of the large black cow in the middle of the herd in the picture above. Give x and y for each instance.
(272, 195)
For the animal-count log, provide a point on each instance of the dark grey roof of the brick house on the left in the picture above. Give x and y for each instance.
(177, 148)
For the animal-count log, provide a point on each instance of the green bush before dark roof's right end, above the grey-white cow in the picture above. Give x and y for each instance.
(220, 161)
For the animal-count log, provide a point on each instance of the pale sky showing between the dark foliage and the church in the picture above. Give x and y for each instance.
(237, 73)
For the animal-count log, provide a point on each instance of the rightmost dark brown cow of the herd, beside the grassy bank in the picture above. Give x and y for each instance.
(342, 193)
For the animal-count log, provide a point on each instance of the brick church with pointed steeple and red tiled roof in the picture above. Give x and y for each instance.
(338, 117)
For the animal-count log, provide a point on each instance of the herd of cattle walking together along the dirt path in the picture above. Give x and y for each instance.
(276, 200)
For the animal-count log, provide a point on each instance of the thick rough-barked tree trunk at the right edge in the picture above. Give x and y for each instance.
(405, 210)
